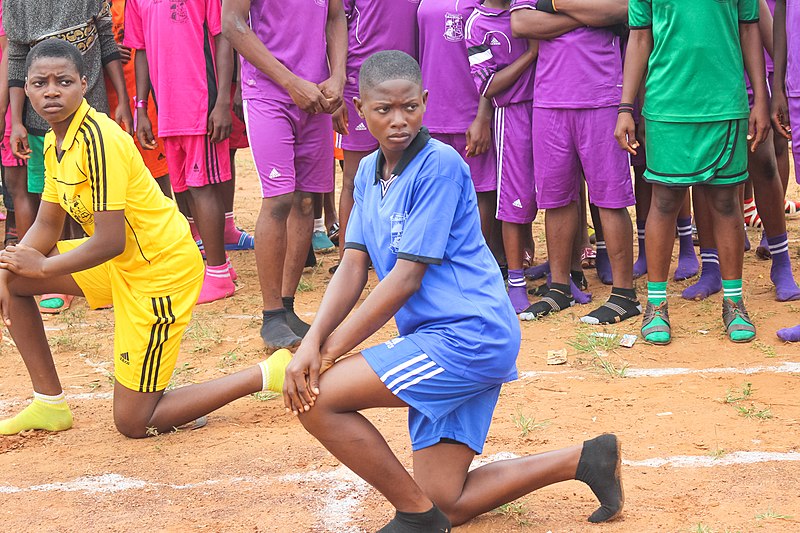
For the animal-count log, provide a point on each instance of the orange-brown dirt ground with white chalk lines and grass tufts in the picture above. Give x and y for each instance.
(709, 429)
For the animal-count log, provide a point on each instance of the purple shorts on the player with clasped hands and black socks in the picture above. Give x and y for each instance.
(292, 150)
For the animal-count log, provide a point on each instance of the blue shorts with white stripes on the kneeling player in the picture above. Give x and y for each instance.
(442, 405)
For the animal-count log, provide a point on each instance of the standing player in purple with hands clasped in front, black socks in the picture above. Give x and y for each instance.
(293, 75)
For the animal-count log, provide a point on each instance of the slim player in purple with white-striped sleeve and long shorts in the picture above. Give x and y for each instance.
(502, 67)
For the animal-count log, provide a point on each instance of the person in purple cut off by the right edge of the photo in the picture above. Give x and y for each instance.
(786, 93)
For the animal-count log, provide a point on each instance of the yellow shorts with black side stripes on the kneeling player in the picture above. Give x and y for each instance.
(147, 330)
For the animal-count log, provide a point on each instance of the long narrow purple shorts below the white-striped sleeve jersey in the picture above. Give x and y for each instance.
(516, 196)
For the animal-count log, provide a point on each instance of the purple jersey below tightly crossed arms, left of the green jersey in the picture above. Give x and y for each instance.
(581, 69)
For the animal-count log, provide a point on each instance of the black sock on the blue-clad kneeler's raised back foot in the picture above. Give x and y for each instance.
(599, 467)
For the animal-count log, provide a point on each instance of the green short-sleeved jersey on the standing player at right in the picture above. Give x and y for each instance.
(696, 71)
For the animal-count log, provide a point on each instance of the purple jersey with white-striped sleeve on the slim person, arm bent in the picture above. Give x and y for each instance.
(491, 48)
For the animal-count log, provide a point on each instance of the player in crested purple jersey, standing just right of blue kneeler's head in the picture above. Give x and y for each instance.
(457, 115)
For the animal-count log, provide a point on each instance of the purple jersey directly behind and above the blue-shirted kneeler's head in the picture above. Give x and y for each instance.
(367, 23)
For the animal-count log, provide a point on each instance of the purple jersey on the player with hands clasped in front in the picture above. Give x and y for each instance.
(295, 34)
